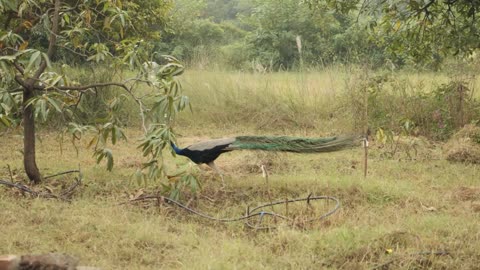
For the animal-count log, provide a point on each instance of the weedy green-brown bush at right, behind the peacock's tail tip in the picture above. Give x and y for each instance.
(392, 103)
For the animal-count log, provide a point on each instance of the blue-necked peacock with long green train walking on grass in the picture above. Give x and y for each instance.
(207, 152)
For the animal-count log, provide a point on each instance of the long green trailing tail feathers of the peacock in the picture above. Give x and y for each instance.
(294, 144)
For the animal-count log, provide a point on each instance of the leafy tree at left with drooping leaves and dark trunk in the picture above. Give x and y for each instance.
(113, 34)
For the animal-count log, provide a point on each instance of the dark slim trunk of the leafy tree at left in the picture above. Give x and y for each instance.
(29, 161)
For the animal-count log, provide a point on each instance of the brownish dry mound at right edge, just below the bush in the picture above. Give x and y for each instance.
(464, 146)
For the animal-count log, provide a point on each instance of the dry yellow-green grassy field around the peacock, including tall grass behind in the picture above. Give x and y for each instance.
(393, 219)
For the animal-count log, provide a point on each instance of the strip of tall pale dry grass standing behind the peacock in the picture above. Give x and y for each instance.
(317, 102)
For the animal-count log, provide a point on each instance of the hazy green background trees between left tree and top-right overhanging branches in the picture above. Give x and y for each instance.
(245, 32)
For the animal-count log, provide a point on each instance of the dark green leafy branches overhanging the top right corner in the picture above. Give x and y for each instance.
(420, 31)
